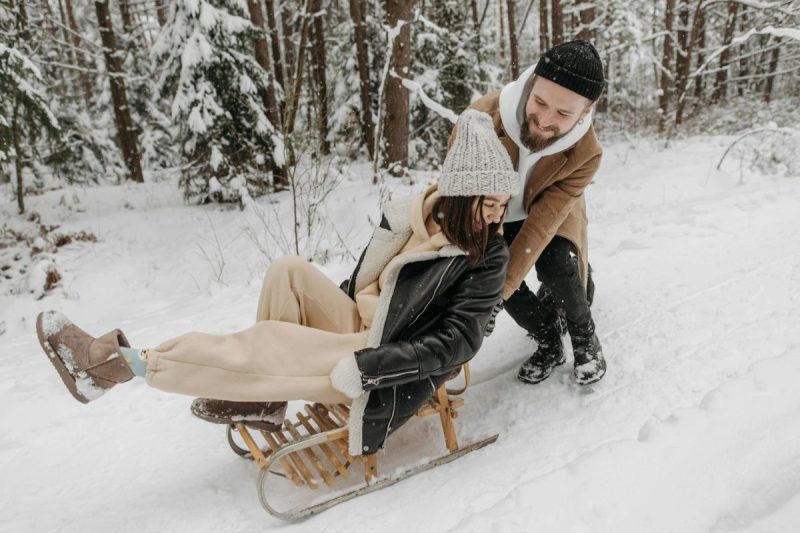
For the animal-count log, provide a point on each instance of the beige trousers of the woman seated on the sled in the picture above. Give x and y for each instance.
(304, 325)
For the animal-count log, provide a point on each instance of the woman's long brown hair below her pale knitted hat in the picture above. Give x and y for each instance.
(464, 225)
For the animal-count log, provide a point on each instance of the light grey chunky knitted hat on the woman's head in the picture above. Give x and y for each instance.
(477, 163)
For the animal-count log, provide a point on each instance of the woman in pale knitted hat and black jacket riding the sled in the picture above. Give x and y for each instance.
(413, 311)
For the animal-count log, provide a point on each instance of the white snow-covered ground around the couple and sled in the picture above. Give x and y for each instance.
(695, 428)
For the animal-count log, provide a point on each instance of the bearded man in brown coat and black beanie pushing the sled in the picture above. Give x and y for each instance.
(544, 120)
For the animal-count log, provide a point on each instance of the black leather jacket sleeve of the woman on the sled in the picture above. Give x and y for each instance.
(453, 340)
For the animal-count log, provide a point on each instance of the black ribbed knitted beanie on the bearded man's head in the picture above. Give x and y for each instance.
(575, 65)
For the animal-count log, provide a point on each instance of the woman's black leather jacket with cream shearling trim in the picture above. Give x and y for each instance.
(437, 313)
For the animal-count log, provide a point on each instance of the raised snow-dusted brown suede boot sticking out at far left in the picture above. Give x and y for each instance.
(88, 366)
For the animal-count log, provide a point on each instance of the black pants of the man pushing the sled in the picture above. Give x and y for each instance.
(557, 269)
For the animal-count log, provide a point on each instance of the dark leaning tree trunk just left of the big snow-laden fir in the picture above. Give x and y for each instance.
(116, 77)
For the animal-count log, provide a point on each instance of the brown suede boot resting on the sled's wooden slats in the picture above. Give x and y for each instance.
(266, 416)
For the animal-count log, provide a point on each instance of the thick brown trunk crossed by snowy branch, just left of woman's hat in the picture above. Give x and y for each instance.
(397, 106)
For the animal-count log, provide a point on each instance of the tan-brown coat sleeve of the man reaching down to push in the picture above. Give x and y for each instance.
(545, 216)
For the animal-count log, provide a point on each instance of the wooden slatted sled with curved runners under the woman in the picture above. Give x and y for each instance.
(311, 451)
